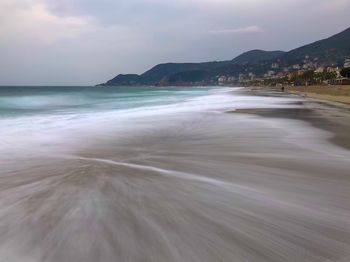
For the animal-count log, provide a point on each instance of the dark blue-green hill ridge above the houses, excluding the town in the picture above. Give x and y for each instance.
(328, 52)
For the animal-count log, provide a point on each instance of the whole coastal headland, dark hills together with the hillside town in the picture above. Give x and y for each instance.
(323, 62)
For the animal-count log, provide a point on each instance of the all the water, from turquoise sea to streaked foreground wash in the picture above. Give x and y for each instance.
(168, 180)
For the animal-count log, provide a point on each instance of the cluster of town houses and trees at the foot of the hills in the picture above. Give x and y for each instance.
(310, 72)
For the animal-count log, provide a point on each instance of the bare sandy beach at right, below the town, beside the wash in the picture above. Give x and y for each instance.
(322, 107)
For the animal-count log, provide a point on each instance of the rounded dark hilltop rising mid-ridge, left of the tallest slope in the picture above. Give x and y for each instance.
(257, 56)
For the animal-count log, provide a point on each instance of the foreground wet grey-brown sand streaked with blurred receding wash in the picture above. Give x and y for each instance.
(257, 185)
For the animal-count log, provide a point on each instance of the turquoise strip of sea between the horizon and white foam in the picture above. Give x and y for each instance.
(31, 101)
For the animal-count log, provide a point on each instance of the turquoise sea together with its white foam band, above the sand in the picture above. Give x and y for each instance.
(47, 118)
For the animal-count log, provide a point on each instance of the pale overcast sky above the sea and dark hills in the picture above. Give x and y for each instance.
(86, 42)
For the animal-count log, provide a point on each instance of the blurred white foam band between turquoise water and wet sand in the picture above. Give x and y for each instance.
(58, 131)
